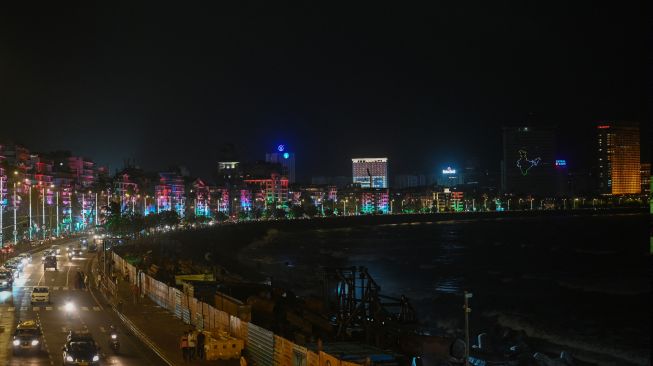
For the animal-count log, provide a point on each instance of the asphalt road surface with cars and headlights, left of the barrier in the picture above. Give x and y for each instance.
(89, 313)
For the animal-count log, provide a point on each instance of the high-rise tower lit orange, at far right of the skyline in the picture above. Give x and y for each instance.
(618, 158)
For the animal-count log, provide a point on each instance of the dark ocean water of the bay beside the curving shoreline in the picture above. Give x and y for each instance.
(581, 283)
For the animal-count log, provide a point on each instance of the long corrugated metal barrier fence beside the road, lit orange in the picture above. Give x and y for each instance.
(262, 347)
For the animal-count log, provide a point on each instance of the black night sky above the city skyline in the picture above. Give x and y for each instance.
(422, 85)
